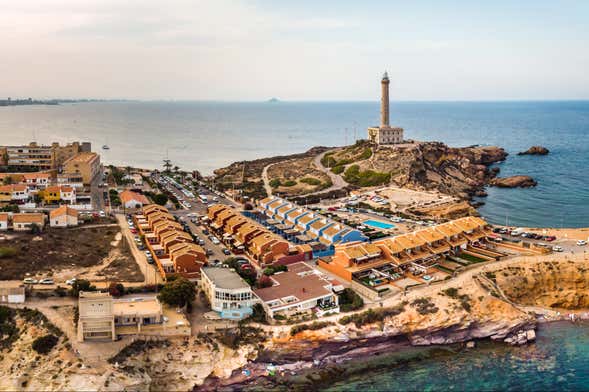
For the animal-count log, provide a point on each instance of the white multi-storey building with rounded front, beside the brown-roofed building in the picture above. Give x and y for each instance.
(227, 292)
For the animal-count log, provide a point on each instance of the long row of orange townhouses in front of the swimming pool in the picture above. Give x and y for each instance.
(420, 249)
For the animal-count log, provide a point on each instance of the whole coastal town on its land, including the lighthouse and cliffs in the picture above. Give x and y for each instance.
(118, 263)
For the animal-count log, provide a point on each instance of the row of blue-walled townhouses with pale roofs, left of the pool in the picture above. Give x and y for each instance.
(306, 226)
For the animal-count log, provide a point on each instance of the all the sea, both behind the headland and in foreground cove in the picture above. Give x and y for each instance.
(209, 135)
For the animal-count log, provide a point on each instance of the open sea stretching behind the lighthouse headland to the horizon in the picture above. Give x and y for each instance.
(209, 135)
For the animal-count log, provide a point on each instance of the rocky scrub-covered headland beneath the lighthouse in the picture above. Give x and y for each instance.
(461, 172)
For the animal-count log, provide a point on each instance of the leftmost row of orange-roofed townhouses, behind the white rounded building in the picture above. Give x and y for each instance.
(173, 250)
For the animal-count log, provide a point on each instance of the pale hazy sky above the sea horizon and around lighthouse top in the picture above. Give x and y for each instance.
(294, 50)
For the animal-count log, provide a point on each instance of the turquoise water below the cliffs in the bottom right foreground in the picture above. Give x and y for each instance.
(559, 360)
